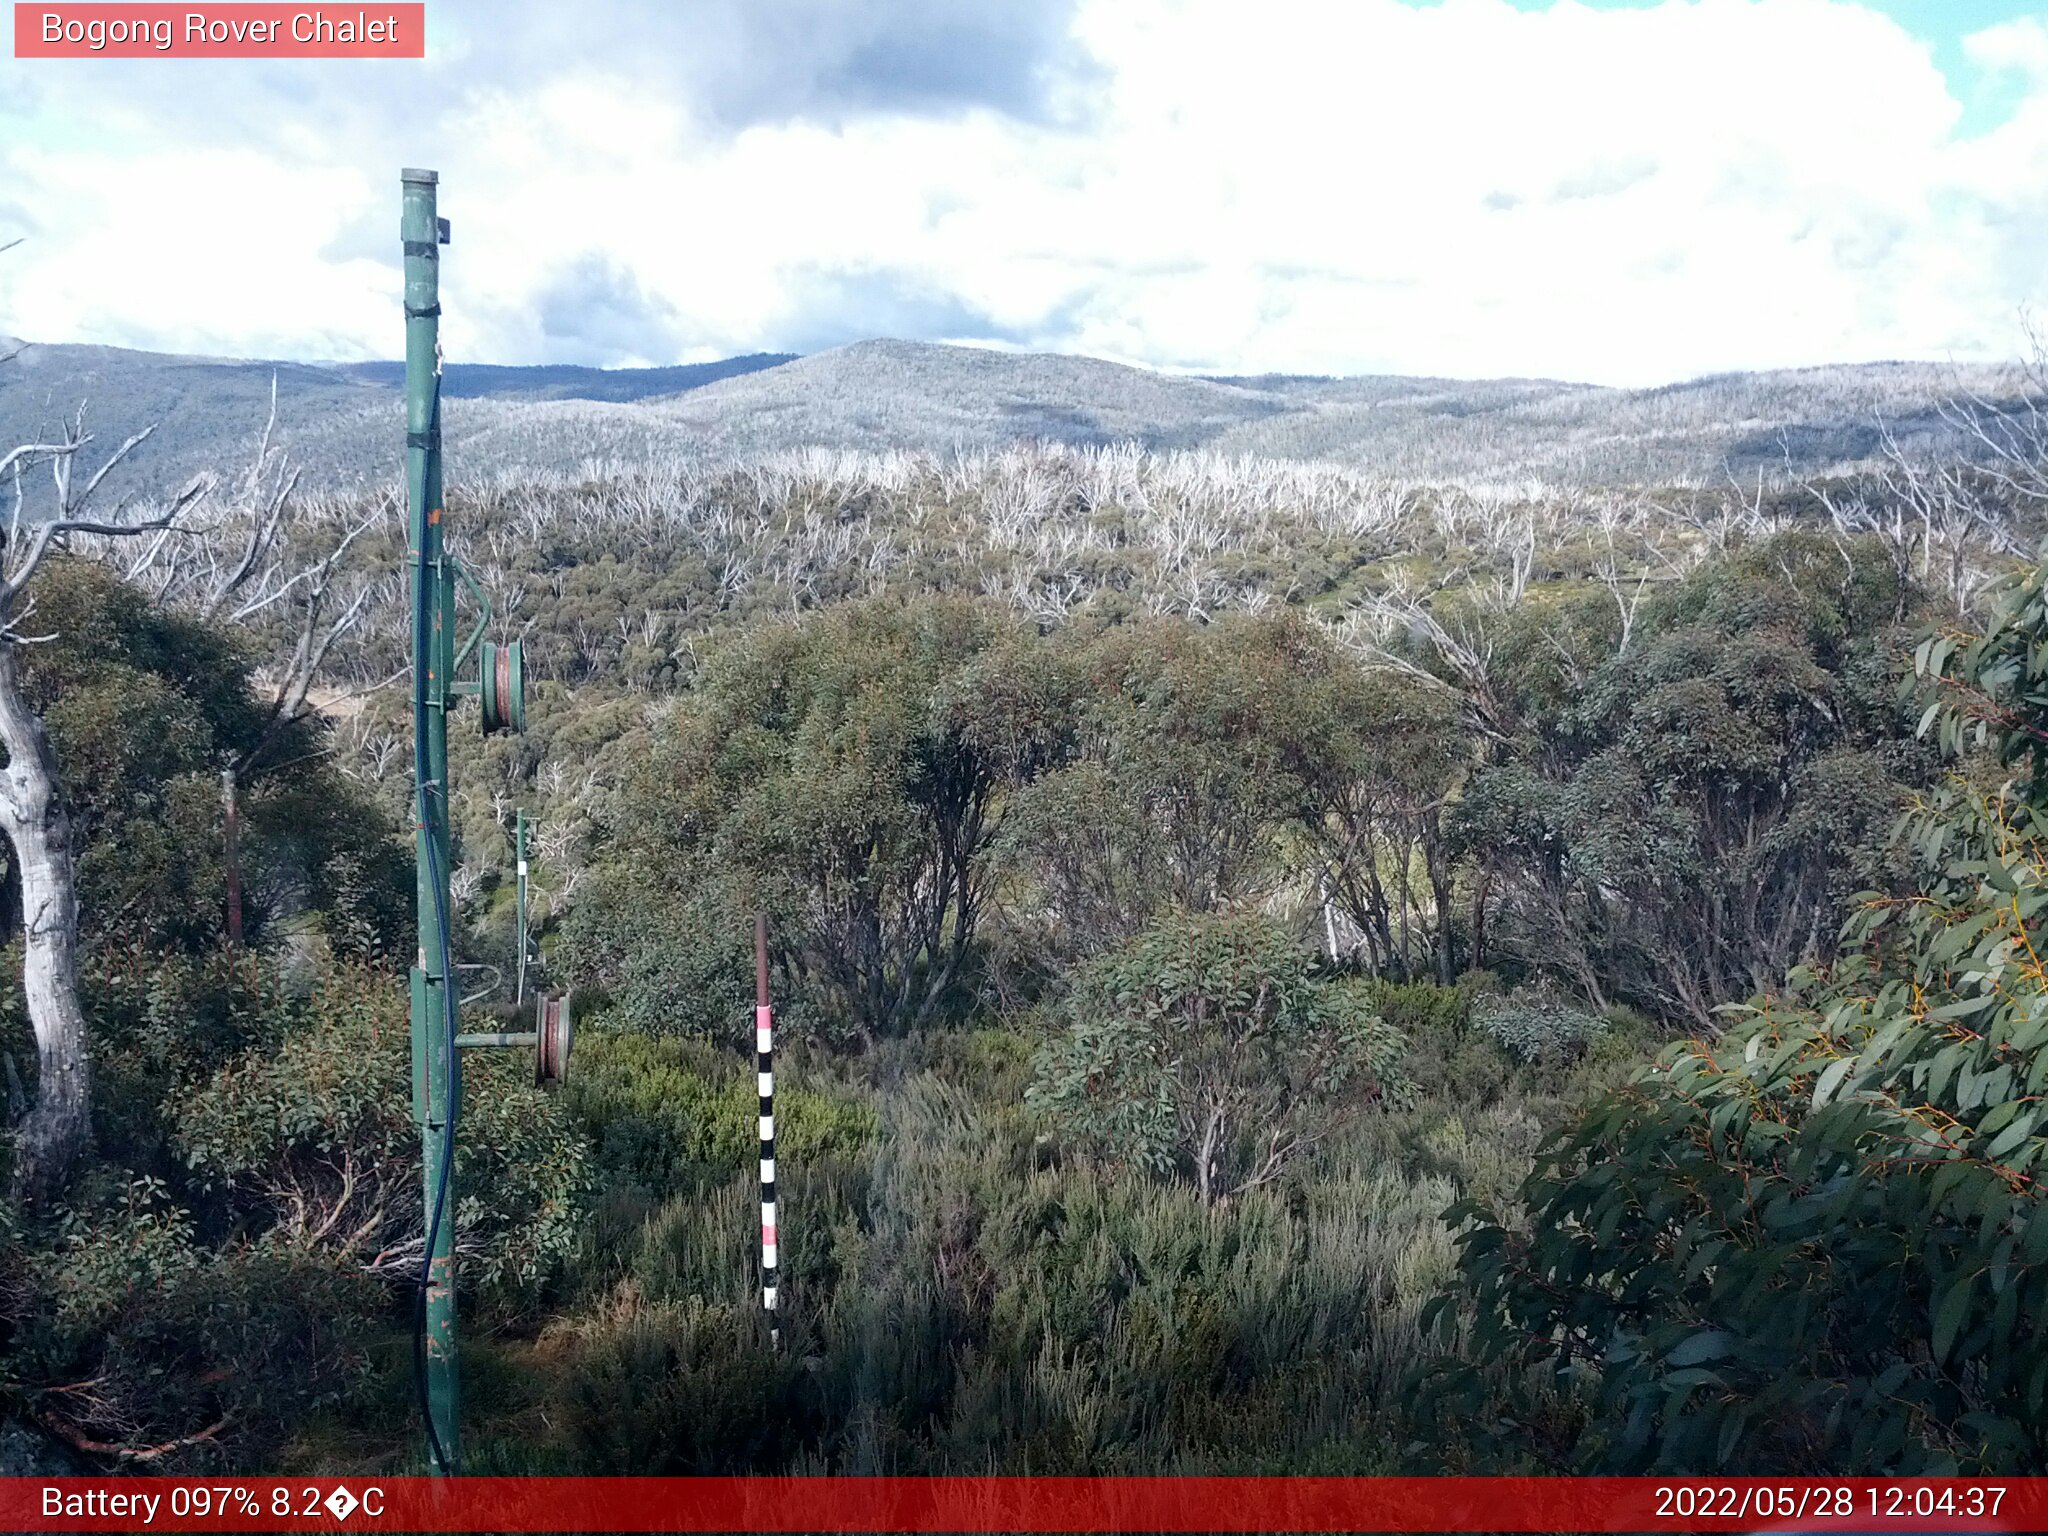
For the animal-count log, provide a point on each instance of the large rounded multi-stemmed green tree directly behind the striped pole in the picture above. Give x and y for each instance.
(843, 771)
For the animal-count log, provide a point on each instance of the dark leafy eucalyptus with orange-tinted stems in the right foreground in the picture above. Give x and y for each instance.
(1818, 1244)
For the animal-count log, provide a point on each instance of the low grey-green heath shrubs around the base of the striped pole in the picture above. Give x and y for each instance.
(953, 1302)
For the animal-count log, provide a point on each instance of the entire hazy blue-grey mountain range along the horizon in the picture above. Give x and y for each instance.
(345, 425)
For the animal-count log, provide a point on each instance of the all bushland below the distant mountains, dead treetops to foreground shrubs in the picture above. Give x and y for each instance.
(1283, 968)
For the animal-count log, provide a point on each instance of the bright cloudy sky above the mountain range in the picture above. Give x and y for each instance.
(1621, 191)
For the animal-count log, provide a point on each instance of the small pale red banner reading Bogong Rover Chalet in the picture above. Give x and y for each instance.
(220, 32)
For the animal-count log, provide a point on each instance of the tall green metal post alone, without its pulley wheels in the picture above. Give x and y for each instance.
(433, 656)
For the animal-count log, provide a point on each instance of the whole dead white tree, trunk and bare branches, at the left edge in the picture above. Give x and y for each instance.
(32, 800)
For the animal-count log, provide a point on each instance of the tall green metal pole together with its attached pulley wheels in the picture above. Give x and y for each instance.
(501, 691)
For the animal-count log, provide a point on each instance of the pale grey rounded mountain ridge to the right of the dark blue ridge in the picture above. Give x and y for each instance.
(923, 396)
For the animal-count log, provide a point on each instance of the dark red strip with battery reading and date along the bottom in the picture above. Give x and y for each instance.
(1027, 1504)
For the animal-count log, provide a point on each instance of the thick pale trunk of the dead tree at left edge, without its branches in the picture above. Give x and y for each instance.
(56, 1129)
